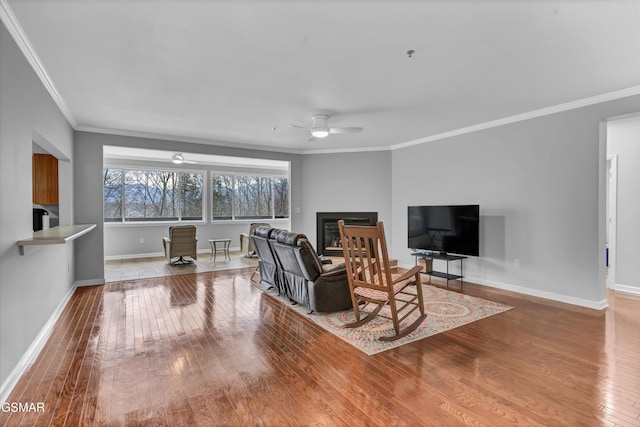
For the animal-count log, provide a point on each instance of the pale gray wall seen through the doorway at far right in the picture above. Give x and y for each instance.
(623, 139)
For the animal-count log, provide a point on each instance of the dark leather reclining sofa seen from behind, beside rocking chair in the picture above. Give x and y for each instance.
(289, 264)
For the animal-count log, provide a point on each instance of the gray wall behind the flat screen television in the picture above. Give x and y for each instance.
(540, 187)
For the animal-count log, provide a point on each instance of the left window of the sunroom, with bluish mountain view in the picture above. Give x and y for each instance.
(152, 195)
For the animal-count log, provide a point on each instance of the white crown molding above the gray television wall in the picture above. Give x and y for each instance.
(610, 96)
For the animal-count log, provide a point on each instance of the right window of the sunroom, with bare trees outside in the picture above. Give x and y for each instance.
(238, 197)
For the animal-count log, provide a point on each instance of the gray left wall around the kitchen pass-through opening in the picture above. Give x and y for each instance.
(32, 286)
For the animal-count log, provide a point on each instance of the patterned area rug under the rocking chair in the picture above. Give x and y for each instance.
(445, 310)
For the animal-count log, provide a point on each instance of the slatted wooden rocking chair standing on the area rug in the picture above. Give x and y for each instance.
(371, 281)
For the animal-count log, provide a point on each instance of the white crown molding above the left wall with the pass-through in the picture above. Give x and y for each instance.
(15, 29)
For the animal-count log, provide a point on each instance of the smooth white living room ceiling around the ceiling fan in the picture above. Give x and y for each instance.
(235, 72)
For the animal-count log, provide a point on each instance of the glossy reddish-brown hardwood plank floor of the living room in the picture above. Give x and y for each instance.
(211, 349)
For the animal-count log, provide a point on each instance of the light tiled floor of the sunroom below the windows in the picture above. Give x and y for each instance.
(141, 268)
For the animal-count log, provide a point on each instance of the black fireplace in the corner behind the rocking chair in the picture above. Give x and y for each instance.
(328, 235)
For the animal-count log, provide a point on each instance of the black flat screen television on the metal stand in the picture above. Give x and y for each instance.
(453, 229)
